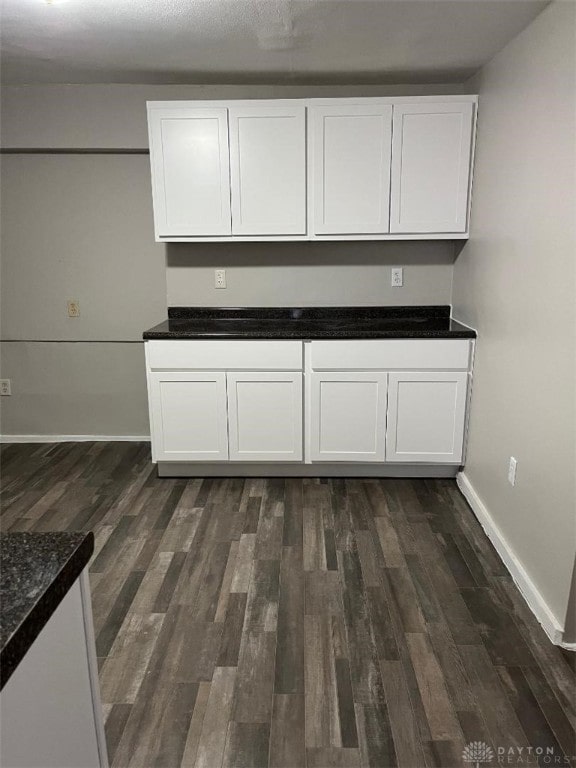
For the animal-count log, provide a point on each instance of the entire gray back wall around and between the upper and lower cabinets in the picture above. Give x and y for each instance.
(80, 226)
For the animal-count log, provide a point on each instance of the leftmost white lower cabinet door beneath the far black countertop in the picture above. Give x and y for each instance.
(188, 414)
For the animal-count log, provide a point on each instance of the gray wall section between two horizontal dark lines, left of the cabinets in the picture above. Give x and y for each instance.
(79, 226)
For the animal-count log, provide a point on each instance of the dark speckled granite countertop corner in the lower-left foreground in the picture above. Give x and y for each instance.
(36, 572)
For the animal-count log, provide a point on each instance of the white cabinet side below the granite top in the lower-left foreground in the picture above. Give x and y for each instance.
(51, 710)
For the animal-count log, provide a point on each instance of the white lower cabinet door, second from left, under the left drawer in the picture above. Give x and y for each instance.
(265, 416)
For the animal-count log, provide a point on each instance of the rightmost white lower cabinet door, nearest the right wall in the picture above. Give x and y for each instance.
(426, 414)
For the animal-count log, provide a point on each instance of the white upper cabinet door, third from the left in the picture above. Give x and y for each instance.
(351, 147)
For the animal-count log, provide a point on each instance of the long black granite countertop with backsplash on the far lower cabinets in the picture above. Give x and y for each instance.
(419, 322)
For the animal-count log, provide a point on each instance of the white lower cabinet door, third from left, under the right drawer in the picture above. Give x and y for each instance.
(348, 416)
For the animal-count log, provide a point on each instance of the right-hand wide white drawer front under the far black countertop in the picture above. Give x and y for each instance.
(390, 354)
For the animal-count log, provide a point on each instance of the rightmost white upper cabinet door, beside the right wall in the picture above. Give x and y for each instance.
(431, 151)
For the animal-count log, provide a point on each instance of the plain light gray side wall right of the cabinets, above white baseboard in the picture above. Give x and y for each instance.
(514, 281)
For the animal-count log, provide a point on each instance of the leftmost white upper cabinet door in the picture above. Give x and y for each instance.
(190, 172)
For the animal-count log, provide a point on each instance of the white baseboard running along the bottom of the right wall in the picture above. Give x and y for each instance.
(528, 589)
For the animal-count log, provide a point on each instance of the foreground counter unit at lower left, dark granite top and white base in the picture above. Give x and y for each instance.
(50, 698)
